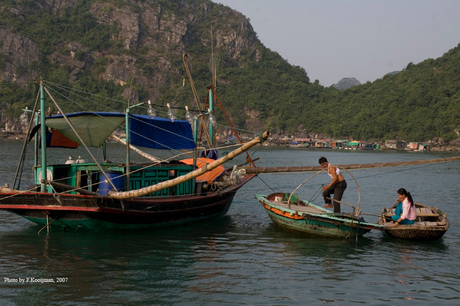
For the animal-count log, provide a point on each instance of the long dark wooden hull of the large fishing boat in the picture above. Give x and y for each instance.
(102, 212)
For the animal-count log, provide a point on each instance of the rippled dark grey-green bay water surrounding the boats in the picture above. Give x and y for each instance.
(243, 258)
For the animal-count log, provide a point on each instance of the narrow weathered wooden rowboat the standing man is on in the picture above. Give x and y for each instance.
(305, 217)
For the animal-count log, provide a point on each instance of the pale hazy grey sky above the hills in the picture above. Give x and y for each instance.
(365, 39)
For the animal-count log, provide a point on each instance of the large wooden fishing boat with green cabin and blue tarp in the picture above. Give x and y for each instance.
(105, 195)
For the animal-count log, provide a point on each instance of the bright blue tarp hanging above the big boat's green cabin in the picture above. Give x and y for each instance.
(160, 133)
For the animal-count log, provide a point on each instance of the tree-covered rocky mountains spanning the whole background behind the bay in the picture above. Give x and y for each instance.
(132, 50)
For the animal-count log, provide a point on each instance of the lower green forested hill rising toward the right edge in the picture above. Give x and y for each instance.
(419, 103)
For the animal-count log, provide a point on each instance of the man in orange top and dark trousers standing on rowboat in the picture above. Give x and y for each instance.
(337, 185)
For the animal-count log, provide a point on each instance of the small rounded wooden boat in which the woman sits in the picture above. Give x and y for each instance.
(431, 224)
